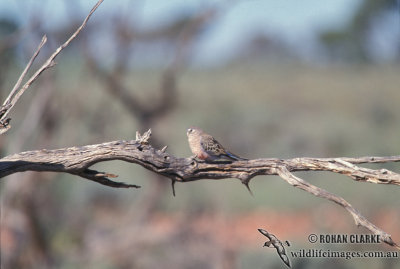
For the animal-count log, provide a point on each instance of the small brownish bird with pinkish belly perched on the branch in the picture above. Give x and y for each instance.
(207, 148)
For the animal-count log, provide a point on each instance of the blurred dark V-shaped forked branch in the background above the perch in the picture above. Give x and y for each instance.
(168, 89)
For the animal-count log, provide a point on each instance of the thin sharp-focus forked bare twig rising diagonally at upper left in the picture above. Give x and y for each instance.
(17, 91)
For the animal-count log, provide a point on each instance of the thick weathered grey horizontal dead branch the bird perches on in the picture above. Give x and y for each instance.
(77, 161)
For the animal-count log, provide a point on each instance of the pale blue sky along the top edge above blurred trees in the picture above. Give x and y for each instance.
(292, 20)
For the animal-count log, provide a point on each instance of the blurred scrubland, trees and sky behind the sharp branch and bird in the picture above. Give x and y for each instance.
(266, 78)
